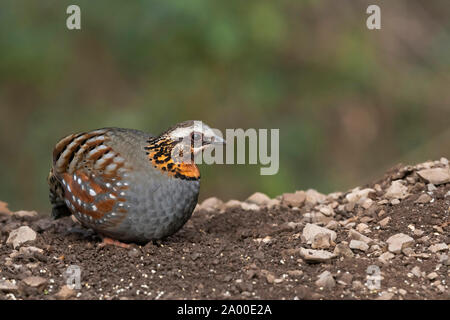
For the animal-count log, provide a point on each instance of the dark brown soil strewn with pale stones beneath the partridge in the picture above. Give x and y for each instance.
(386, 240)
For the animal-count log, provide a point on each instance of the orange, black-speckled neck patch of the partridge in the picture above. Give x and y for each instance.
(159, 153)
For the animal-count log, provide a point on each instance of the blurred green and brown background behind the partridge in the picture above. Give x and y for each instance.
(349, 102)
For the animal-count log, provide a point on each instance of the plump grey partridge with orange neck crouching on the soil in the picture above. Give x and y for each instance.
(128, 185)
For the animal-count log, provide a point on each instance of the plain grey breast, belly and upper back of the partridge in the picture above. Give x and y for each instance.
(158, 205)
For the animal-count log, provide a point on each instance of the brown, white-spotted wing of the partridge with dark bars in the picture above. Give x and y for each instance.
(91, 176)
